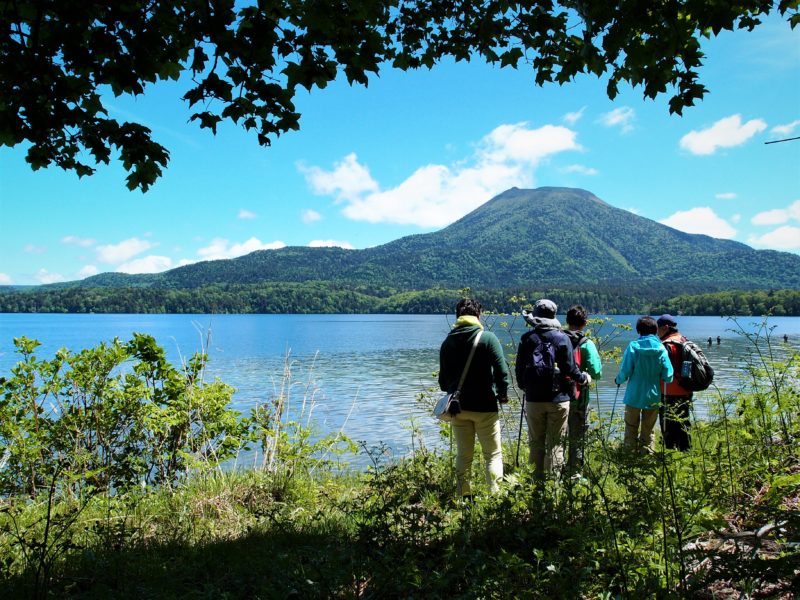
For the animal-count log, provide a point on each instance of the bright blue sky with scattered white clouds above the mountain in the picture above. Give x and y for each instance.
(415, 152)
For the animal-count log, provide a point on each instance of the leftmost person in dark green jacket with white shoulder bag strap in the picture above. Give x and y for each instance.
(485, 385)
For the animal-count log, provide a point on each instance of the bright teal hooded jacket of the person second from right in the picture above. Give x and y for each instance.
(645, 363)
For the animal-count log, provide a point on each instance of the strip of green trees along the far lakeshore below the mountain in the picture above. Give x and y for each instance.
(325, 297)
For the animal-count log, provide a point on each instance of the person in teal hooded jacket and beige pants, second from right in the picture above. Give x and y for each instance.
(645, 364)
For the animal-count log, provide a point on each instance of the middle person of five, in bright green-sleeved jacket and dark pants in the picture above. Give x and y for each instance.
(578, 419)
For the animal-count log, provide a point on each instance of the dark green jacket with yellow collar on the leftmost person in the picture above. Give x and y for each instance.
(487, 378)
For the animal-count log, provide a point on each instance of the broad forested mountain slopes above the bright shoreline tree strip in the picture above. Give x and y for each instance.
(522, 238)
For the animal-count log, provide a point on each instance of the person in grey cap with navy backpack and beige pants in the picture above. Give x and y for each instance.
(547, 410)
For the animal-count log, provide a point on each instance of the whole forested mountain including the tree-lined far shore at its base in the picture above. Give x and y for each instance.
(565, 243)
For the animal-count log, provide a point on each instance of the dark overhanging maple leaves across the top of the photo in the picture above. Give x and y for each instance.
(246, 61)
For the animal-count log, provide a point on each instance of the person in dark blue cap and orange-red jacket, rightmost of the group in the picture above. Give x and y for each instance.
(677, 401)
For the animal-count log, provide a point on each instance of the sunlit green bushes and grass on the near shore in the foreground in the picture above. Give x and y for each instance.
(112, 486)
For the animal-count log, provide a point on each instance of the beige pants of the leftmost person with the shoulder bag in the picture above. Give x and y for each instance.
(466, 425)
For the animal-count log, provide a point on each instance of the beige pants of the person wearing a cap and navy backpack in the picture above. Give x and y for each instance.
(547, 430)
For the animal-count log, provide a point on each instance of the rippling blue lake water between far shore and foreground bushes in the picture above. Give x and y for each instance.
(366, 370)
